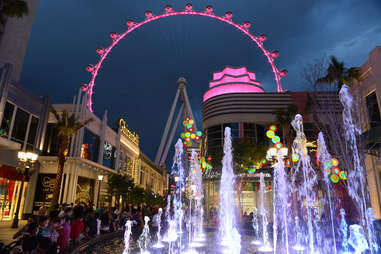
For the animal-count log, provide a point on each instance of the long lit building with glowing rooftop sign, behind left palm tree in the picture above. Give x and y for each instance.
(96, 150)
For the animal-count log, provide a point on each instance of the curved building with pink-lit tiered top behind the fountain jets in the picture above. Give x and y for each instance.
(241, 104)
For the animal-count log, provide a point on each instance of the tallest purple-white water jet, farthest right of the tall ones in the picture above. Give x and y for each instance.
(357, 187)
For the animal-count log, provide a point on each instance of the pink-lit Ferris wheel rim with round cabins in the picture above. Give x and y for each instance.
(132, 26)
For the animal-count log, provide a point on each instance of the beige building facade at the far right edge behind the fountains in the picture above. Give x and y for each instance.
(368, 90)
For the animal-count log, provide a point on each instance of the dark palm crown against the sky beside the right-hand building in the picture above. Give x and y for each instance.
(338, 74)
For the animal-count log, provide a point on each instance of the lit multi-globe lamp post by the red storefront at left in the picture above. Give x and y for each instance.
(27, 160)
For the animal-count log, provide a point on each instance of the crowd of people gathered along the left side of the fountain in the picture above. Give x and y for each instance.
(61, 230)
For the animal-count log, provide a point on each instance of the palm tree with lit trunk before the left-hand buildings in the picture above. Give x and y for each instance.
(67, 126)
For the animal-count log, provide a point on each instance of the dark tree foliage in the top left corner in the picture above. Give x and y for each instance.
(12, 8)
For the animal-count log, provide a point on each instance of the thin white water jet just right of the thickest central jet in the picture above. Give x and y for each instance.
(266, 247)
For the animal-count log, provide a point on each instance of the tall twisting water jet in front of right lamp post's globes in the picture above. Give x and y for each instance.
(303, 166)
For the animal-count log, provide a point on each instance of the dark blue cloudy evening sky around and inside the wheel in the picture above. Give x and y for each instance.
(138, 80)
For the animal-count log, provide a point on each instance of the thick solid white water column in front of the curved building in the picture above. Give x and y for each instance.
(228, 233)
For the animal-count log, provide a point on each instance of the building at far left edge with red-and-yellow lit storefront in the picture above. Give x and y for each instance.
(23, 118)
